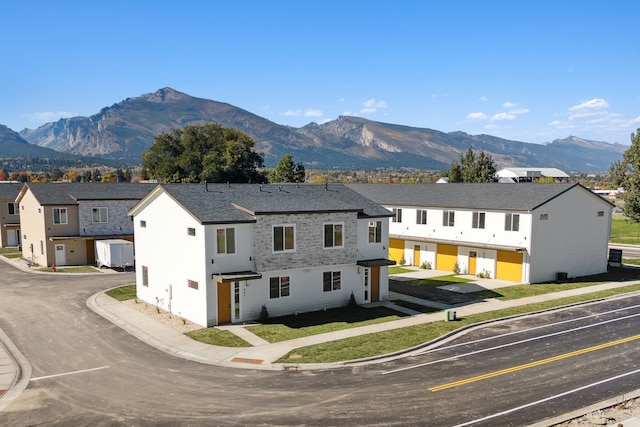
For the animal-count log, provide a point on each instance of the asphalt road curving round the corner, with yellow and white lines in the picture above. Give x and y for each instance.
(86, 371)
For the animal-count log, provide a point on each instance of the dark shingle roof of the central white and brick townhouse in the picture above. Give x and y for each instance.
(220, 203)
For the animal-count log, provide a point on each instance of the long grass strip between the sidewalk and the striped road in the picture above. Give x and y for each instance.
(400, 339)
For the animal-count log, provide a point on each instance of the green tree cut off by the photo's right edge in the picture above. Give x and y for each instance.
(626, 174)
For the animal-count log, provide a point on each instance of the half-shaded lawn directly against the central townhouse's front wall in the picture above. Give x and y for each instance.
(318, 322)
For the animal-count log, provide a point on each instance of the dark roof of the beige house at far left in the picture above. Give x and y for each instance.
(70, 193)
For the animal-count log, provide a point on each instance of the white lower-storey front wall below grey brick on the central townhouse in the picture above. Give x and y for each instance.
(305, 293)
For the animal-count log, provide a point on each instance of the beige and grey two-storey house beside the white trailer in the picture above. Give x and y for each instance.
(60, 222)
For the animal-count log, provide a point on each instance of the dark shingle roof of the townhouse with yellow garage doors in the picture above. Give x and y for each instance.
(522, 197)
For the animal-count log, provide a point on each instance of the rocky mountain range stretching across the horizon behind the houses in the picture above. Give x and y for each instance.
(123, 131)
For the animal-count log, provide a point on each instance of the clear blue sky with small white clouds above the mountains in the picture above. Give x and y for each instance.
(532, 71)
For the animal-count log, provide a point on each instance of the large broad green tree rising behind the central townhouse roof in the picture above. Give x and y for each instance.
(204, 152)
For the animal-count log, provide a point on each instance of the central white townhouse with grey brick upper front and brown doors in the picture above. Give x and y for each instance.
(217, 253)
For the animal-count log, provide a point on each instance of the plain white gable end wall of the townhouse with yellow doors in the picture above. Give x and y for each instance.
(573, 238)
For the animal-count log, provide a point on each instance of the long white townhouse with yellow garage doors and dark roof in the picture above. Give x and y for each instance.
(522, 233)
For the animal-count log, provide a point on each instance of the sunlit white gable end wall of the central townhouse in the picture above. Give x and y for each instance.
(172, 257)
